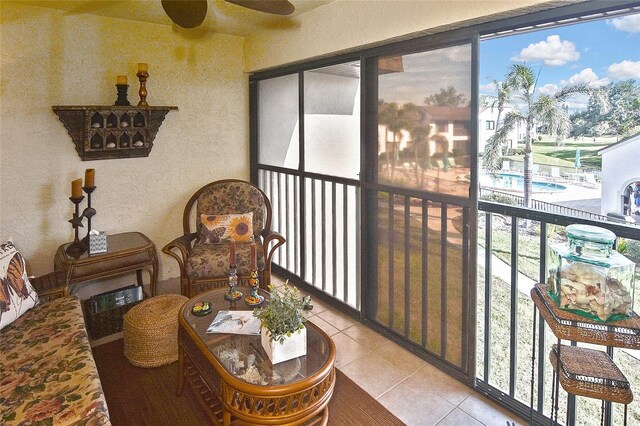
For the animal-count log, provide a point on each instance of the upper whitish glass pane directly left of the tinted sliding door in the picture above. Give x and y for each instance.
(332, 120)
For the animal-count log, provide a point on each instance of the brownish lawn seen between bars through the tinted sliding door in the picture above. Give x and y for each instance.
(397, 286)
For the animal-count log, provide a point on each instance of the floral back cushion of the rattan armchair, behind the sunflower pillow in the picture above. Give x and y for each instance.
(232, 198)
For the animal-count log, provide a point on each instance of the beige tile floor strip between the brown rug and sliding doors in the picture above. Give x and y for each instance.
(413, 390)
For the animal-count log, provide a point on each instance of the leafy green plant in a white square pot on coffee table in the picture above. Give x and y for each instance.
(284, 335)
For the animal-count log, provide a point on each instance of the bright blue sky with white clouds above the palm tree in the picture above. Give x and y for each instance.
(596, 52)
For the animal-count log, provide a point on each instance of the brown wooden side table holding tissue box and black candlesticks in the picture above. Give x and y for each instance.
(126, 252)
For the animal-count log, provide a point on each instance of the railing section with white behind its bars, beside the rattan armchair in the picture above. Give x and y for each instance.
(321, 224)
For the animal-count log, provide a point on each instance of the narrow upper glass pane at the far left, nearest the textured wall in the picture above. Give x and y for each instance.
(278, 136)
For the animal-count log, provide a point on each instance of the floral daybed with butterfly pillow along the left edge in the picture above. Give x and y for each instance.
(47, 372)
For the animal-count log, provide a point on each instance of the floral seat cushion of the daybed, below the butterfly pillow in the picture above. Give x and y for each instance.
(47, 372)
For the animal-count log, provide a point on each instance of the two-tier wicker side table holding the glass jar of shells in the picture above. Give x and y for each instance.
(582, 371)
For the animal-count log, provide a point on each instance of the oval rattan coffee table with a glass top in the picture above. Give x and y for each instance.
(234, 380)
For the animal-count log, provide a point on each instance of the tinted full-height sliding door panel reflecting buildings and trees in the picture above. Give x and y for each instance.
(418, 202)
